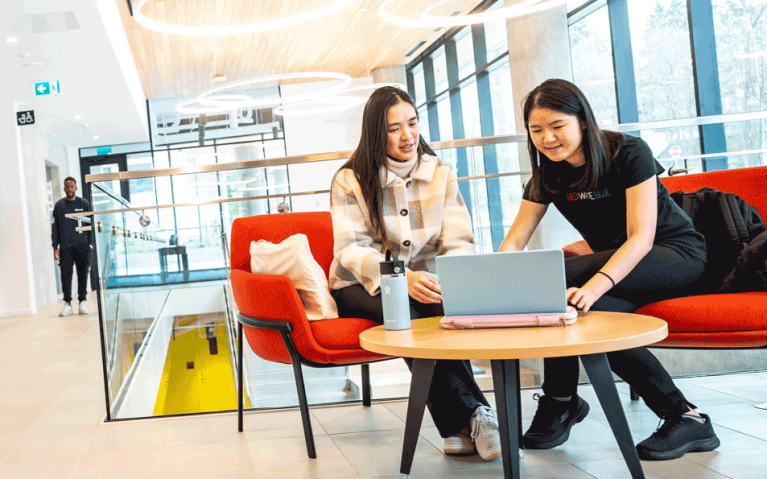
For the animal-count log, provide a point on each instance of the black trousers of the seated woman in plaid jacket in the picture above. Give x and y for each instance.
(453, 394)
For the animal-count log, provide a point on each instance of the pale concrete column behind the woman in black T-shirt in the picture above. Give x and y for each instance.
(539, 49)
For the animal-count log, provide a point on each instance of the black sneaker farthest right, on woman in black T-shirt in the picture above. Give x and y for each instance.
(678, 436)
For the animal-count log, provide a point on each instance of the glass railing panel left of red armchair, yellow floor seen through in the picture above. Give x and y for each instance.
(163, 294)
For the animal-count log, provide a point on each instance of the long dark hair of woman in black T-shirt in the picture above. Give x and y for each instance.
(598, 146)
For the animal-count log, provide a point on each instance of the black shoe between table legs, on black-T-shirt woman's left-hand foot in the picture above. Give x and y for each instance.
(553, 420)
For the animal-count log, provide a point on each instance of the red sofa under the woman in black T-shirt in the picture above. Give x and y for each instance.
(734, 320)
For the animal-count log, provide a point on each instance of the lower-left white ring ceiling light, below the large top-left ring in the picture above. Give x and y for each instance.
(225, 103)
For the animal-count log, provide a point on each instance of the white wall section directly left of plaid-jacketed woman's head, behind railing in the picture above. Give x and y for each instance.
(323, 133)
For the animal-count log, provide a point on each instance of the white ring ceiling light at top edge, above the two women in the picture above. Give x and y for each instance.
(431, 21)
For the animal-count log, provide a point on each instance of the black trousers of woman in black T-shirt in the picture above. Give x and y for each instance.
(664, 273)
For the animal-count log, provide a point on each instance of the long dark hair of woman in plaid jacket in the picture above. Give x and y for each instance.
(370, 156)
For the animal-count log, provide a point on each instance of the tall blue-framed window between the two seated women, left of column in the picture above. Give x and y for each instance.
(487, 108)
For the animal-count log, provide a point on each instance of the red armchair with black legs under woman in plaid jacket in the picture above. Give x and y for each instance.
(272, 316)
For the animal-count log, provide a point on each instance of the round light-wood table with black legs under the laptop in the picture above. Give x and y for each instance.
(595, 334)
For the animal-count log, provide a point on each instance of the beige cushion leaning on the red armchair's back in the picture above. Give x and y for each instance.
(293, 258)
